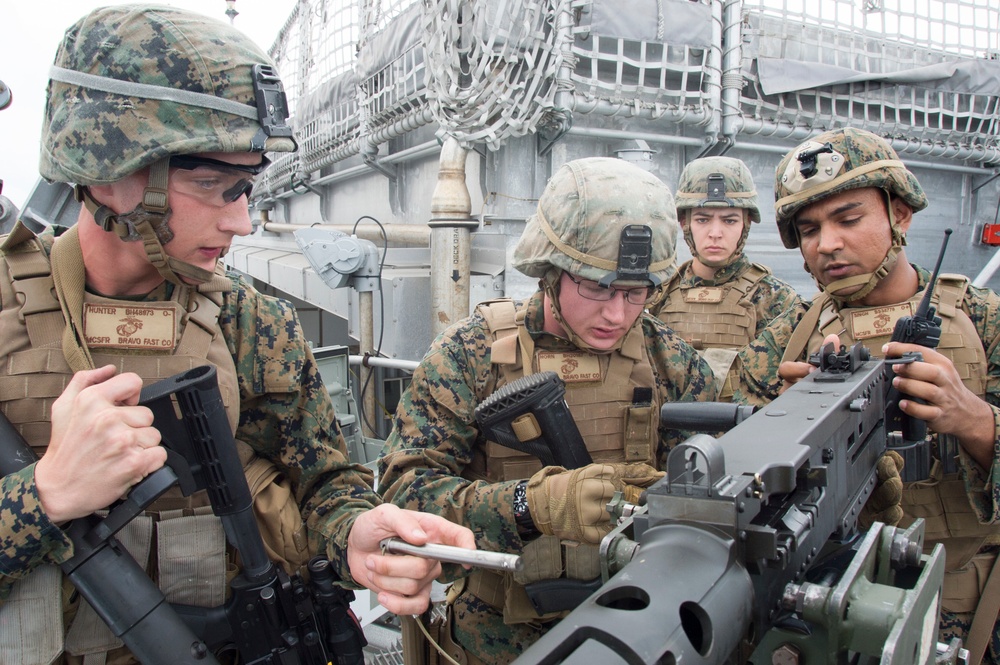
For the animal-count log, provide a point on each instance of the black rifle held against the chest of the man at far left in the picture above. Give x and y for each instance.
(270, 618)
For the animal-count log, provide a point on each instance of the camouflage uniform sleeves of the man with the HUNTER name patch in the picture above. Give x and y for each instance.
(286, 416)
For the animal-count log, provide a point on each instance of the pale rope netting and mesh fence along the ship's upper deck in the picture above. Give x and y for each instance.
(360, 72)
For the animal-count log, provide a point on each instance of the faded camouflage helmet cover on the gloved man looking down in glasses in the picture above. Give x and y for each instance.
(586, 204)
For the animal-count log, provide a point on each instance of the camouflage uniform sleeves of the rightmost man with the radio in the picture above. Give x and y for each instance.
(757, 383)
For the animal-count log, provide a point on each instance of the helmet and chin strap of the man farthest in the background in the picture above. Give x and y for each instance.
(717, 182)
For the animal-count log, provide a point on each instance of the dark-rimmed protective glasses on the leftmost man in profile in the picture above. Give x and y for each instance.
(213, 181)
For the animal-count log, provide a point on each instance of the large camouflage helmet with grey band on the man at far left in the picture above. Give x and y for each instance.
(100, 126)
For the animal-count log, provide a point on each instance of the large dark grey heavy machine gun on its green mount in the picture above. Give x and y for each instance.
(748, 550)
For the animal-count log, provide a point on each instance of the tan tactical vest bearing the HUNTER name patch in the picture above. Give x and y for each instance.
(182, 535)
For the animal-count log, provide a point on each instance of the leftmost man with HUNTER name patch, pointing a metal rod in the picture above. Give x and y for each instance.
(151, 114)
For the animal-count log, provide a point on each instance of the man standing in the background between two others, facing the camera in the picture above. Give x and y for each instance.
(718, 301)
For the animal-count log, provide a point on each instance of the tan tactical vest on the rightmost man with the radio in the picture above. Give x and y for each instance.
(941, 499)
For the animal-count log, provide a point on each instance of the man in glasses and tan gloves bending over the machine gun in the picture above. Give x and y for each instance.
(618, 363)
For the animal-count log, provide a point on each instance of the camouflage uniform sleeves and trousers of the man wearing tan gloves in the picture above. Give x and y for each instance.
(435, 437)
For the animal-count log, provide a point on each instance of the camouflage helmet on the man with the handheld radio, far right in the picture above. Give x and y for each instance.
(834, 162)
